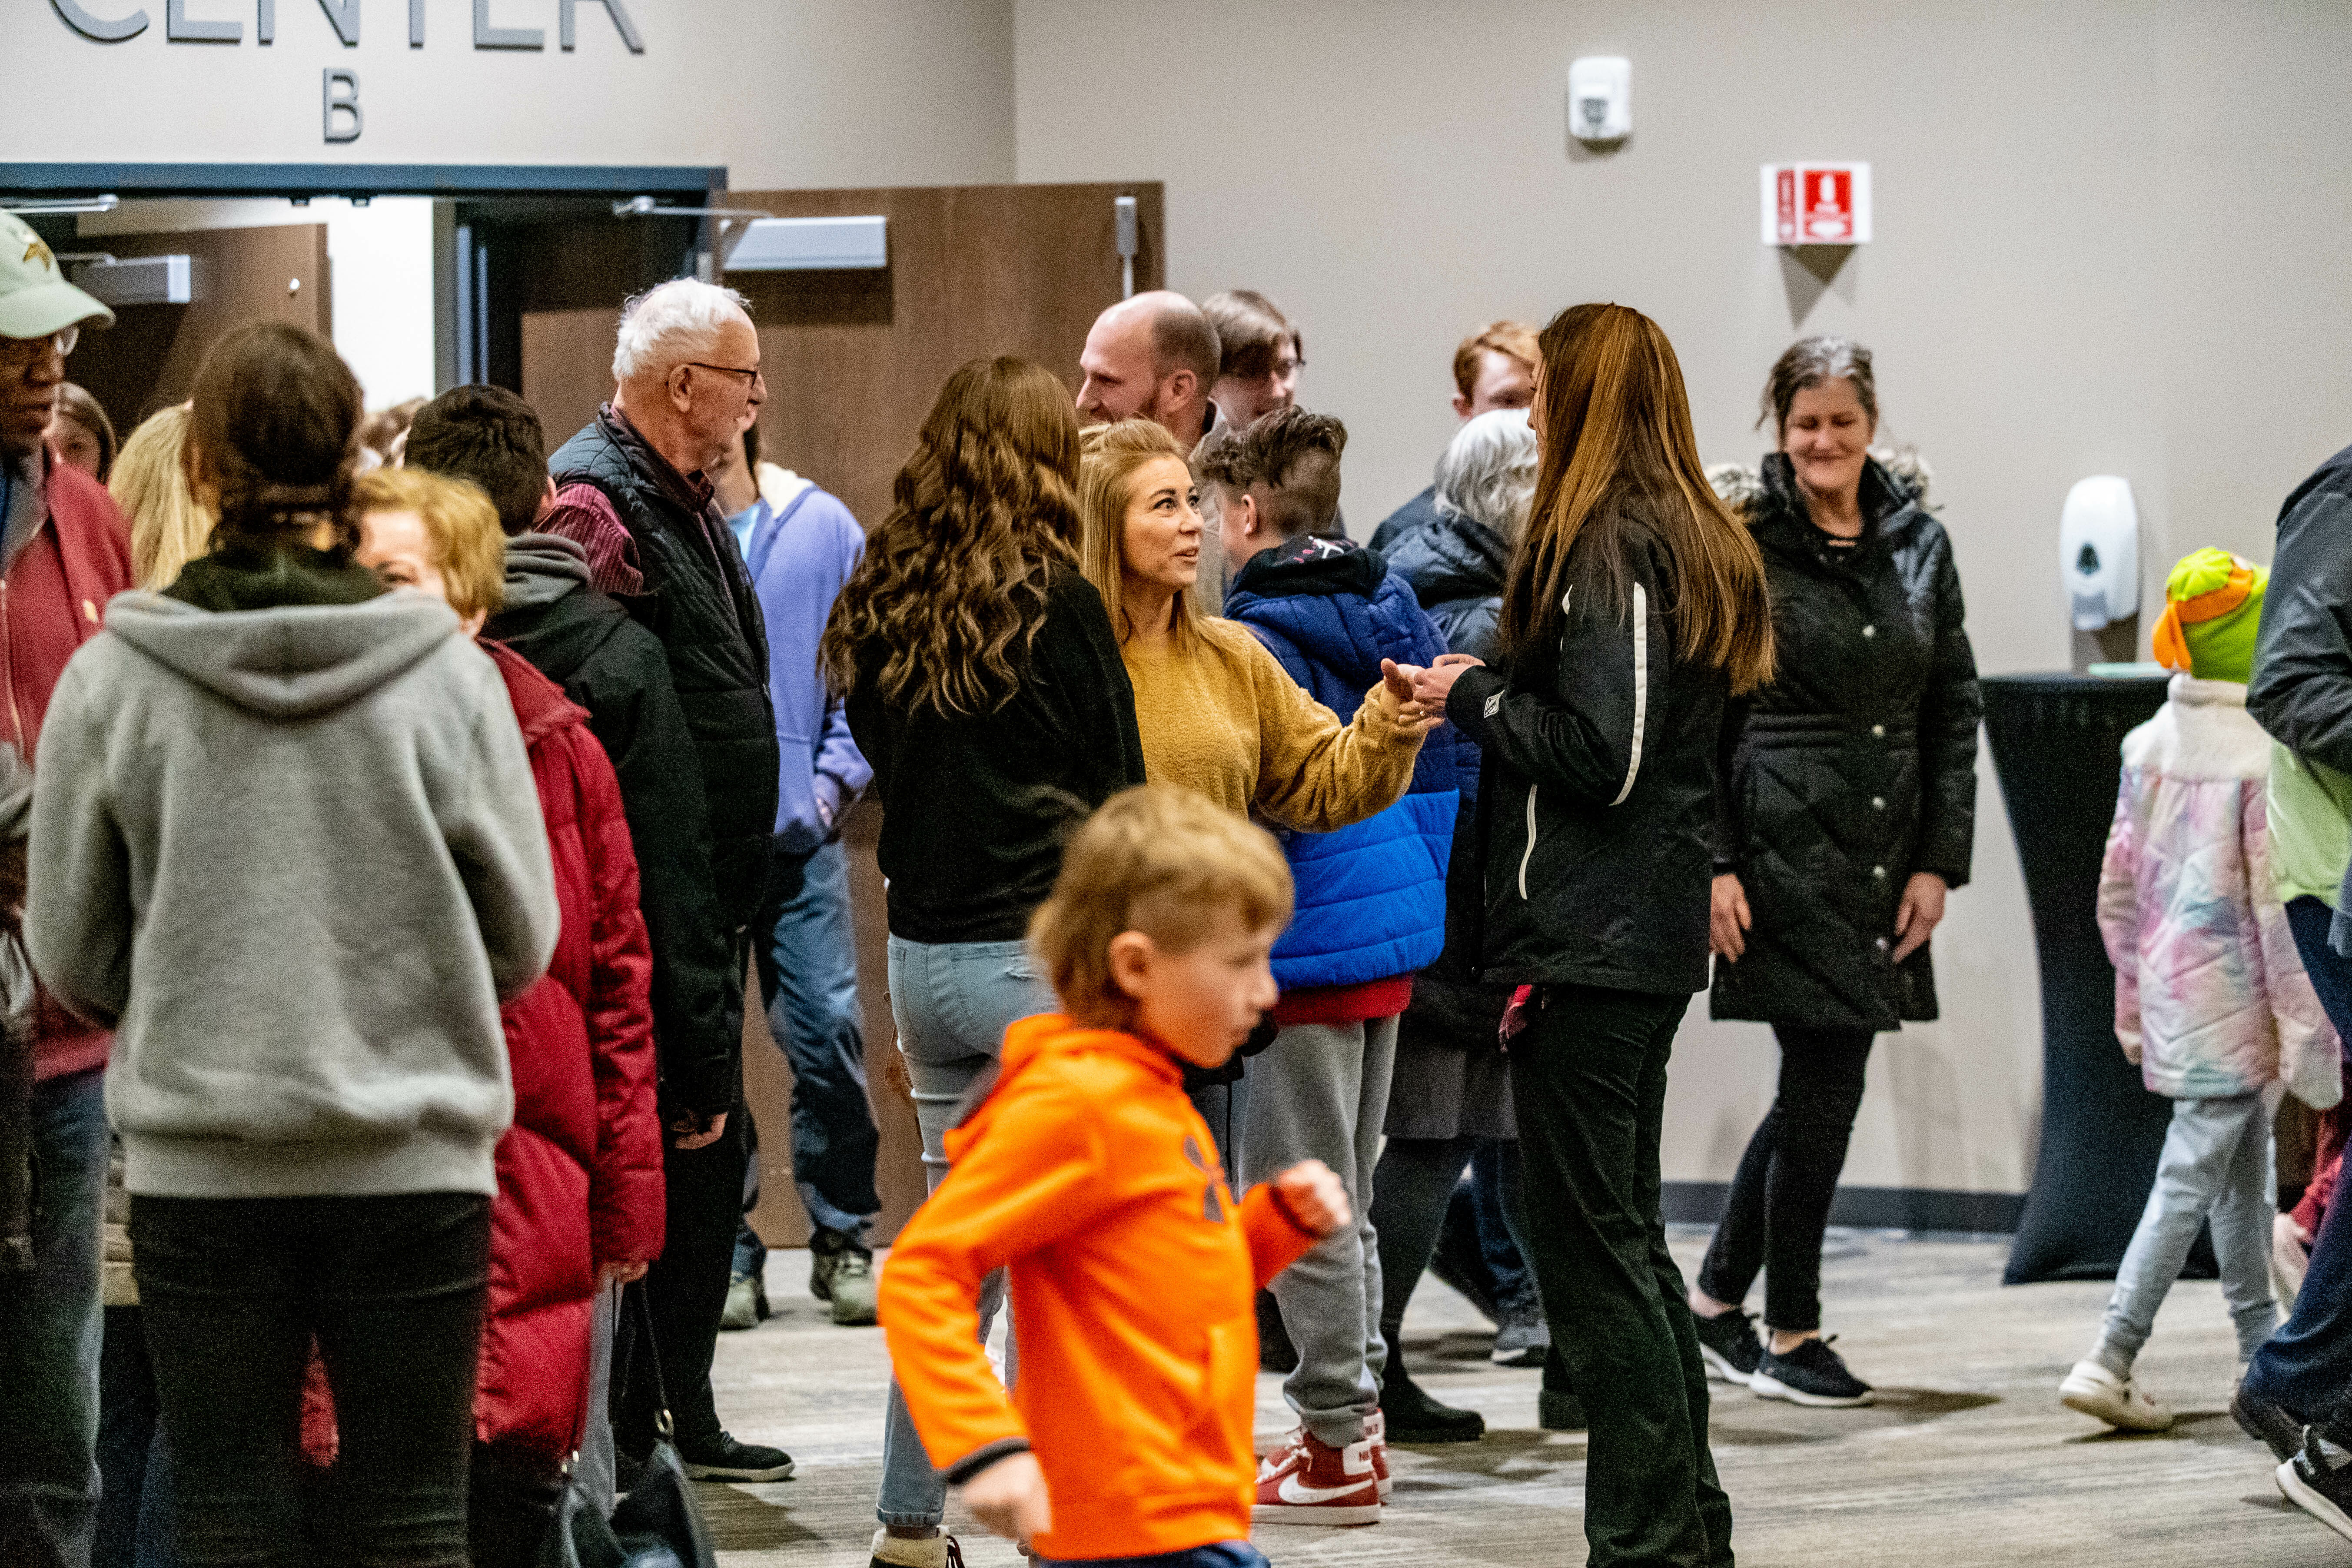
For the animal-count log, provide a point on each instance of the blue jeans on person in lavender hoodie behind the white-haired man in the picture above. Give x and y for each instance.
(810, 989)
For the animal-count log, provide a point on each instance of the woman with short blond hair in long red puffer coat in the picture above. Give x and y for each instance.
(580, 1172)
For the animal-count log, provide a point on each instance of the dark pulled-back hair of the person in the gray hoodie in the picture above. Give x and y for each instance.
(272, 441)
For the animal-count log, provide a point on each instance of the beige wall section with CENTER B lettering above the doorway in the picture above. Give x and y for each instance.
(784, 93)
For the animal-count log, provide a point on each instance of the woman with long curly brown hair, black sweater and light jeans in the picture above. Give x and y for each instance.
(987, 690)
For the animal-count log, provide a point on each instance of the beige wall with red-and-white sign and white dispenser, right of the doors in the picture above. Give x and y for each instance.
(2111, 239)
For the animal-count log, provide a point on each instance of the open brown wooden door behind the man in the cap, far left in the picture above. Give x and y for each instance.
(239, 276)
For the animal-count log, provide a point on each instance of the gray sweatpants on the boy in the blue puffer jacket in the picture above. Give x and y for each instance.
(1321, 1092)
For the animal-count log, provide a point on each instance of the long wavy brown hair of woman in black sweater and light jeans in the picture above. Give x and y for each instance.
(951, 594)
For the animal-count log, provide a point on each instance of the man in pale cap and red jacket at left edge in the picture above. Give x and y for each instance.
(65, 554)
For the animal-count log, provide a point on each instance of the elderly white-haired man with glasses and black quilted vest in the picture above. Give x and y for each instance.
(632, 495)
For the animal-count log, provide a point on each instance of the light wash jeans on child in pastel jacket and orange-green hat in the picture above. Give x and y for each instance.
(2214, 1170)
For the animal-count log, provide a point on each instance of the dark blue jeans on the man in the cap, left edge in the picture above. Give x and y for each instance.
(51, 1334)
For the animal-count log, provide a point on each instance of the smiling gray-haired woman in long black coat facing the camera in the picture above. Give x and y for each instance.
(1850, 810)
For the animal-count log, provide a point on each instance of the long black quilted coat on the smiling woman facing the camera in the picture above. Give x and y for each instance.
(1855, 770)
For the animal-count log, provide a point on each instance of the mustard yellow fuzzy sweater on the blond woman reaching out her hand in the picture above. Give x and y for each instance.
(1231, 723)
